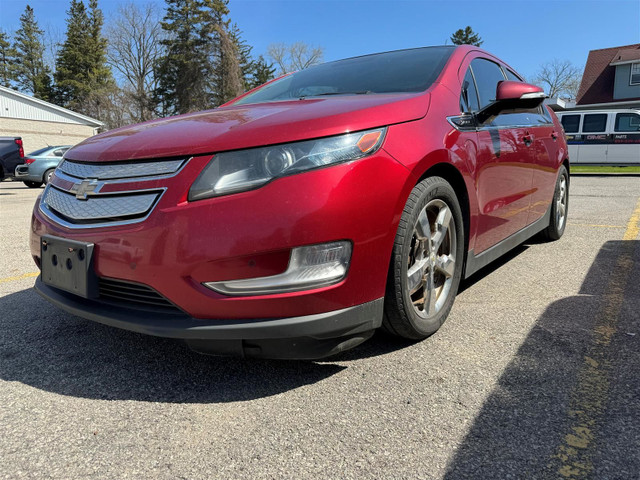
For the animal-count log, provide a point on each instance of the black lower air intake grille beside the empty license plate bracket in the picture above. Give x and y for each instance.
(135, 295)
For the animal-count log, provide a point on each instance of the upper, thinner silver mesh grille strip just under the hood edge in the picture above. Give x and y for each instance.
(101, 171)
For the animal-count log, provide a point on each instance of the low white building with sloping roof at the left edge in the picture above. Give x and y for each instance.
(41, 123)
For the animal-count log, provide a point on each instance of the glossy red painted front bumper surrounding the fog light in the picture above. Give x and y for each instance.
(182, 245)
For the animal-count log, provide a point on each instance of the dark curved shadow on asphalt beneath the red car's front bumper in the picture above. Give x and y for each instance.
(46, 348)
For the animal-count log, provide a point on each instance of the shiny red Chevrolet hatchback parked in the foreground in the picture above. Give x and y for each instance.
(297, 219)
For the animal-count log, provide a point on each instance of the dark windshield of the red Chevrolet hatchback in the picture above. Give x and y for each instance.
(392, 72)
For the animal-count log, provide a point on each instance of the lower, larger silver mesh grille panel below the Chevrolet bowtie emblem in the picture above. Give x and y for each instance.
(96, 208)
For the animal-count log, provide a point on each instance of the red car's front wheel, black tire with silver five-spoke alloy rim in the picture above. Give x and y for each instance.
(413, 310)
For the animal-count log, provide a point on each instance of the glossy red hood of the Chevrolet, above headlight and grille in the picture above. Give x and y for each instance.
(243, 126)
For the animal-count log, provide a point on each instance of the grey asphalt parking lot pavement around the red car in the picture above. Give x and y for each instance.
(534, 375)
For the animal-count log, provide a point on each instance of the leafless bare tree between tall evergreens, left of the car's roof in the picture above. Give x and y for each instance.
(134, 47)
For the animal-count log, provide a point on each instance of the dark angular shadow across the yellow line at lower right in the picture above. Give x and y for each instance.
(530, 414)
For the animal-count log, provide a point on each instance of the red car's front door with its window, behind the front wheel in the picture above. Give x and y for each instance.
(503, 171)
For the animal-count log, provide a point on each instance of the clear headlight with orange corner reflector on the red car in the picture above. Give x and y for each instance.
(231, 172)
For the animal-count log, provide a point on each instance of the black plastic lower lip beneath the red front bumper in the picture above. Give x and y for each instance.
(304, 337)
